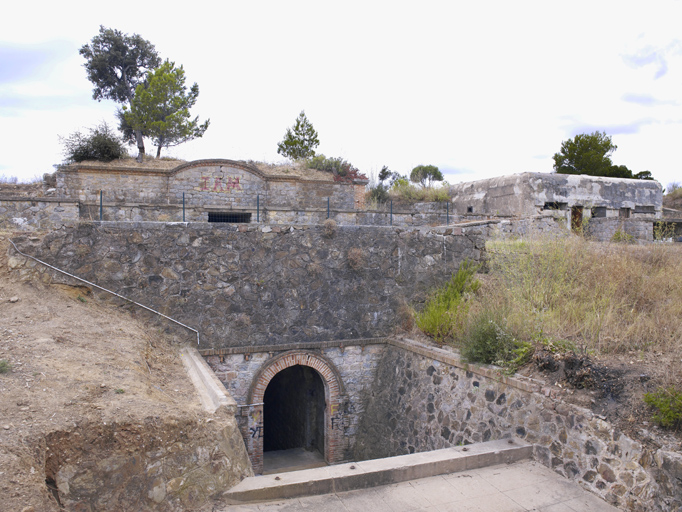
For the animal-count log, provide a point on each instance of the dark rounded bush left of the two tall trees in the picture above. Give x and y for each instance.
(101, 144)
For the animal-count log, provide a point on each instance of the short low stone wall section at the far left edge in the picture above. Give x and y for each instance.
(37, 213)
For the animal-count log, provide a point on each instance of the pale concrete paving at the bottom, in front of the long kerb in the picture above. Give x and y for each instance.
(517, 487)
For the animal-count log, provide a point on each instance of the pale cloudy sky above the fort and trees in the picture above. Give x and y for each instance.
(479, 89)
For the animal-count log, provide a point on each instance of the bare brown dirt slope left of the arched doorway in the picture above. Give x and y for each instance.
(78, 365)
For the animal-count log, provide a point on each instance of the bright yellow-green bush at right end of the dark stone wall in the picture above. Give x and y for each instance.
(444, 313)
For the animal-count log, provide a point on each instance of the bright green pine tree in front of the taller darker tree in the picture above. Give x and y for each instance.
(160, 108)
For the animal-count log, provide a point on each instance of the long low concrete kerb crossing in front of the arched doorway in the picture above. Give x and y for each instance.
(371, 473)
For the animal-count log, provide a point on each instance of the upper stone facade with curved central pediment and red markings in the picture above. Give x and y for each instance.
(220, 185)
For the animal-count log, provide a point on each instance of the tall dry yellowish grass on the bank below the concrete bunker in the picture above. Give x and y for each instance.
(601, 297)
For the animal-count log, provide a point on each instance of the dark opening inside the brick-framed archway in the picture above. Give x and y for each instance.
(293, 411)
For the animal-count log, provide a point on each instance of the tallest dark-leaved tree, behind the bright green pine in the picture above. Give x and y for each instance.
(116, 64)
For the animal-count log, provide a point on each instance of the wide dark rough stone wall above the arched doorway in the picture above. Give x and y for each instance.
(263, 285)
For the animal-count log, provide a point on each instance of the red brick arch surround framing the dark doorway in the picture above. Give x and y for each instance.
(334, 399)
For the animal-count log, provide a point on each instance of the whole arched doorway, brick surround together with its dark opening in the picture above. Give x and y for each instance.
(294, 402)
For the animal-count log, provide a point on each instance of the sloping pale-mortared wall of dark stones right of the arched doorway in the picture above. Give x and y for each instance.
(425, 399)
